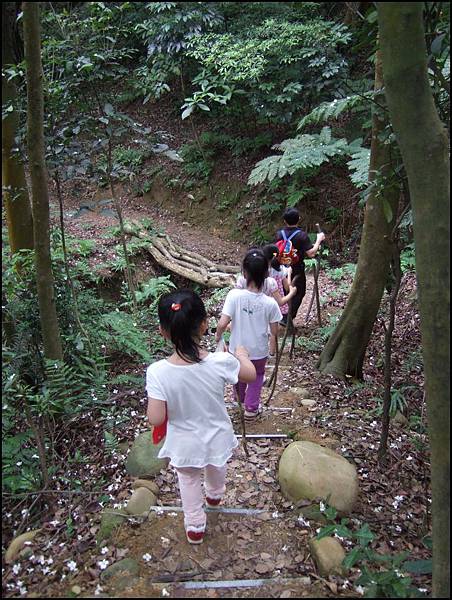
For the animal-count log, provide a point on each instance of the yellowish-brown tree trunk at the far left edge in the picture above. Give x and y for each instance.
(17, 202)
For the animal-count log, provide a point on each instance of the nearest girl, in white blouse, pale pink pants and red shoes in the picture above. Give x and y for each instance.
(188, 389)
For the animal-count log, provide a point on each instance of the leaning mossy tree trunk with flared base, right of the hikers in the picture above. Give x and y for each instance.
(345, 350)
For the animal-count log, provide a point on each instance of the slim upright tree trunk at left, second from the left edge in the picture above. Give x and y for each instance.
(40, 193)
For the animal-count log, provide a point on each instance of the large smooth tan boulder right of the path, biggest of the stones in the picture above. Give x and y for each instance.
(308, 471)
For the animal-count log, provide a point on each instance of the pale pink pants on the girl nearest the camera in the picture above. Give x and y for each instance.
(192, 495)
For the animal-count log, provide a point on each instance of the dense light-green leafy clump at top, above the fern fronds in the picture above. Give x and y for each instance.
(279, 63)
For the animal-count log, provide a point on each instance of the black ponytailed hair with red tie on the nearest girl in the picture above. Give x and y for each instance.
(181, 314)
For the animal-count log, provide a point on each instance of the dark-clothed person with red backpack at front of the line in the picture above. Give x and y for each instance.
(302, 244)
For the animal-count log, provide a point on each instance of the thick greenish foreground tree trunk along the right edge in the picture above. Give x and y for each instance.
(424, 146)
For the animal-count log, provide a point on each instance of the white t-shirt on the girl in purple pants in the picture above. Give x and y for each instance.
(251, 314)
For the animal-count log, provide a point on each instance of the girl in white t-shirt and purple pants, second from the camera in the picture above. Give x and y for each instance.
(251, 313)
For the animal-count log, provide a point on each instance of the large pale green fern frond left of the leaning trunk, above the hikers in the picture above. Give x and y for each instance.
(302, 152)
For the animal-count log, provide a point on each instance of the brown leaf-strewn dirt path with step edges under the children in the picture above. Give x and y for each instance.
(271, 545)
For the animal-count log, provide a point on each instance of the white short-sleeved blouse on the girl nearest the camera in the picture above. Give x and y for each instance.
(199, 430)
